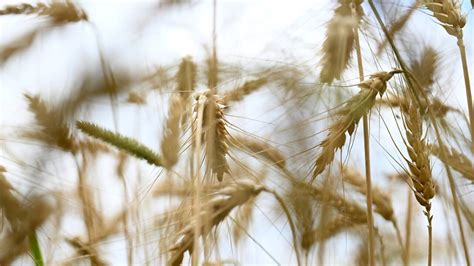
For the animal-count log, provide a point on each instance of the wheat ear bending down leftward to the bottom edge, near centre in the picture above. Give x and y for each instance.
(212, 213)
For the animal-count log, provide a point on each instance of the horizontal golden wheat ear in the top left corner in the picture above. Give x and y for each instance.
(60, 12)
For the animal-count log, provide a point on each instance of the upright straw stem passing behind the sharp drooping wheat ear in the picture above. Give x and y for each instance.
(370, 218)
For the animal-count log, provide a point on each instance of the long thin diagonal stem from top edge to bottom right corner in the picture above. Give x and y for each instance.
(436, 129)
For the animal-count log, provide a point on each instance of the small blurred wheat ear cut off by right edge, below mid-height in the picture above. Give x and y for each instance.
(456, 160)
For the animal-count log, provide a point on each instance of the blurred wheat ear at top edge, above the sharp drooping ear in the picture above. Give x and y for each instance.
(339, 42)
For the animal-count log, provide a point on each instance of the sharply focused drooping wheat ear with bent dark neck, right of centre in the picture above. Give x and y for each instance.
(349, 115)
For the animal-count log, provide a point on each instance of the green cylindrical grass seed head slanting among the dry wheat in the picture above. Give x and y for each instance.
(126, 144)
